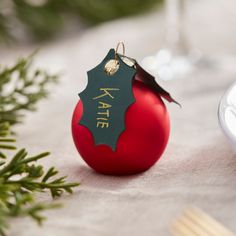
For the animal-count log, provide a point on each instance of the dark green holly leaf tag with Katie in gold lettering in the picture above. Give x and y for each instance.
(106, 98)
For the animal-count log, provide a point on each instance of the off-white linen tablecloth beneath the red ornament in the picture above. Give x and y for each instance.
(197, 168)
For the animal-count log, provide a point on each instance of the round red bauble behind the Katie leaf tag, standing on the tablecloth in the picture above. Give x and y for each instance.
(138, 147)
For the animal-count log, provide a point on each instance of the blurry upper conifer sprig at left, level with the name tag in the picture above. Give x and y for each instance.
(21, 89)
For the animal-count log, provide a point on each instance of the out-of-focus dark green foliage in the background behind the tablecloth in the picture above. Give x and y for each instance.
(41, 20)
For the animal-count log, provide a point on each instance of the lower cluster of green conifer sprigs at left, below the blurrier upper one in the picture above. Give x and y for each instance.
(19, 179)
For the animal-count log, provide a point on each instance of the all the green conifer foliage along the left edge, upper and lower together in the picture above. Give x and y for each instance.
(21, 176)
